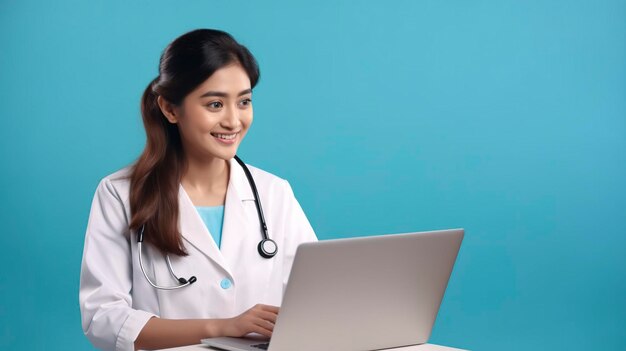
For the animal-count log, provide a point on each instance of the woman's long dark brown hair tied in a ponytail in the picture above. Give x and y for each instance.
(155, 178)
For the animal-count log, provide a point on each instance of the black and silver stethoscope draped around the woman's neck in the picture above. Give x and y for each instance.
(267, 247)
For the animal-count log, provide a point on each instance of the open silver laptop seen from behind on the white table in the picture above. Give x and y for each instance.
(365, 293)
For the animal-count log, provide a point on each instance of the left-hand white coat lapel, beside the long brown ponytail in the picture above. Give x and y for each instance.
(195, 231)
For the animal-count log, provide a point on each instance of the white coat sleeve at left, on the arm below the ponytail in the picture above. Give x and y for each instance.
(108, 319)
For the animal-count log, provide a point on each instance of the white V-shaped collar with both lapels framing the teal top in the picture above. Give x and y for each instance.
(235, 223)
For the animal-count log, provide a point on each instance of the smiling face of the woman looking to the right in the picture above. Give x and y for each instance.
(214, 118)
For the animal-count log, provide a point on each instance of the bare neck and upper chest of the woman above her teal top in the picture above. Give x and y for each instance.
(206, 181)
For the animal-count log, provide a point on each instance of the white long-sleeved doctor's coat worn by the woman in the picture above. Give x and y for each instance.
(115, 298)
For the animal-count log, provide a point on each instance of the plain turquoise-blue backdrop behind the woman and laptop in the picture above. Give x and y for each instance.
(507, 118)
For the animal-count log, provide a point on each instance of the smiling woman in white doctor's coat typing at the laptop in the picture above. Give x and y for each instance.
(192, 204)
